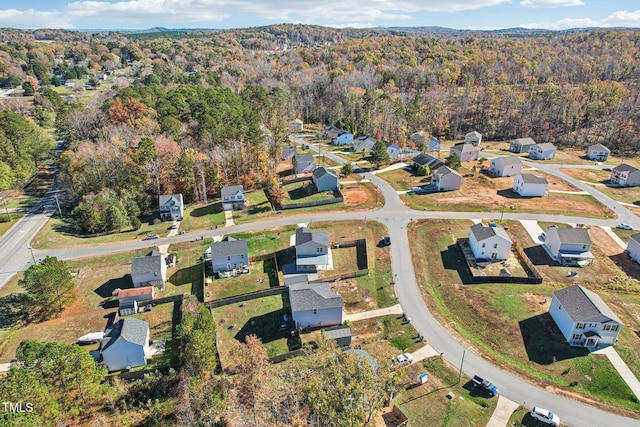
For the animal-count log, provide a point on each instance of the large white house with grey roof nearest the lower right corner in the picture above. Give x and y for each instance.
(584, 318)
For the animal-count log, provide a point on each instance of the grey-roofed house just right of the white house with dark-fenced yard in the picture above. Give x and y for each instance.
(568, 245)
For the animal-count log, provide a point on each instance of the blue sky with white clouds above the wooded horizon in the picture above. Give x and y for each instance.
(223, 14)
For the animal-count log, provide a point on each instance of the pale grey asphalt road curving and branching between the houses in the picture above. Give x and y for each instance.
(15, 257)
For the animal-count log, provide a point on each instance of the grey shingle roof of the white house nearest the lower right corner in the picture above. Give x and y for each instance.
(583, 305)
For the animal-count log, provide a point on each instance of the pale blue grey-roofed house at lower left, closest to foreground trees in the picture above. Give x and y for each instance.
(125, 344)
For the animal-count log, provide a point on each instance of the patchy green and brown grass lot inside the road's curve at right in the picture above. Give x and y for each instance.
(519, 312)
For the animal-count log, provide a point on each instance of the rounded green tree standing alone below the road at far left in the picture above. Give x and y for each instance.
(49, 286)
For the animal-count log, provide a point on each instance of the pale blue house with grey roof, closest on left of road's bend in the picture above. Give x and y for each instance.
(315, 305)
